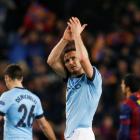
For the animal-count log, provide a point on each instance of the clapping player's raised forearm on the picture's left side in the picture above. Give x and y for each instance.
(56, 52)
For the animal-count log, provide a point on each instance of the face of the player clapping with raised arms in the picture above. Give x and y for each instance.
(72, 63)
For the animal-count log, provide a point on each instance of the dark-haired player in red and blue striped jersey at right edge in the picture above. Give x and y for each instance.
(130, 109)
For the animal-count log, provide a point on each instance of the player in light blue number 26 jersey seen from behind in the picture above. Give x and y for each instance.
(20, 108)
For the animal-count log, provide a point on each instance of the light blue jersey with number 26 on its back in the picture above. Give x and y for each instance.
(20, 107)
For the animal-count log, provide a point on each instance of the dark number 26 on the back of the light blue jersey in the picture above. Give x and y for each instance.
(25, 115)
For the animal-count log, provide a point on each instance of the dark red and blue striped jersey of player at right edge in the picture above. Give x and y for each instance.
(130, 118)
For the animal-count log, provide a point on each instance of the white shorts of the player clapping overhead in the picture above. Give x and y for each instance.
(82, 134)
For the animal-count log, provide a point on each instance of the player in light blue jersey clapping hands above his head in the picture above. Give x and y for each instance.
(84, 82)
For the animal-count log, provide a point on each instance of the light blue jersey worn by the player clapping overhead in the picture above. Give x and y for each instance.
(82, 98)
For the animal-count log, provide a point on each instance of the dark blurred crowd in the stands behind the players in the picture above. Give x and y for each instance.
(29, 29)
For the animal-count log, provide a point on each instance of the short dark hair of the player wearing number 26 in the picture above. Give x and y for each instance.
(14, 71)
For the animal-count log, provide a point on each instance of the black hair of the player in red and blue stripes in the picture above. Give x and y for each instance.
(132, 81)
